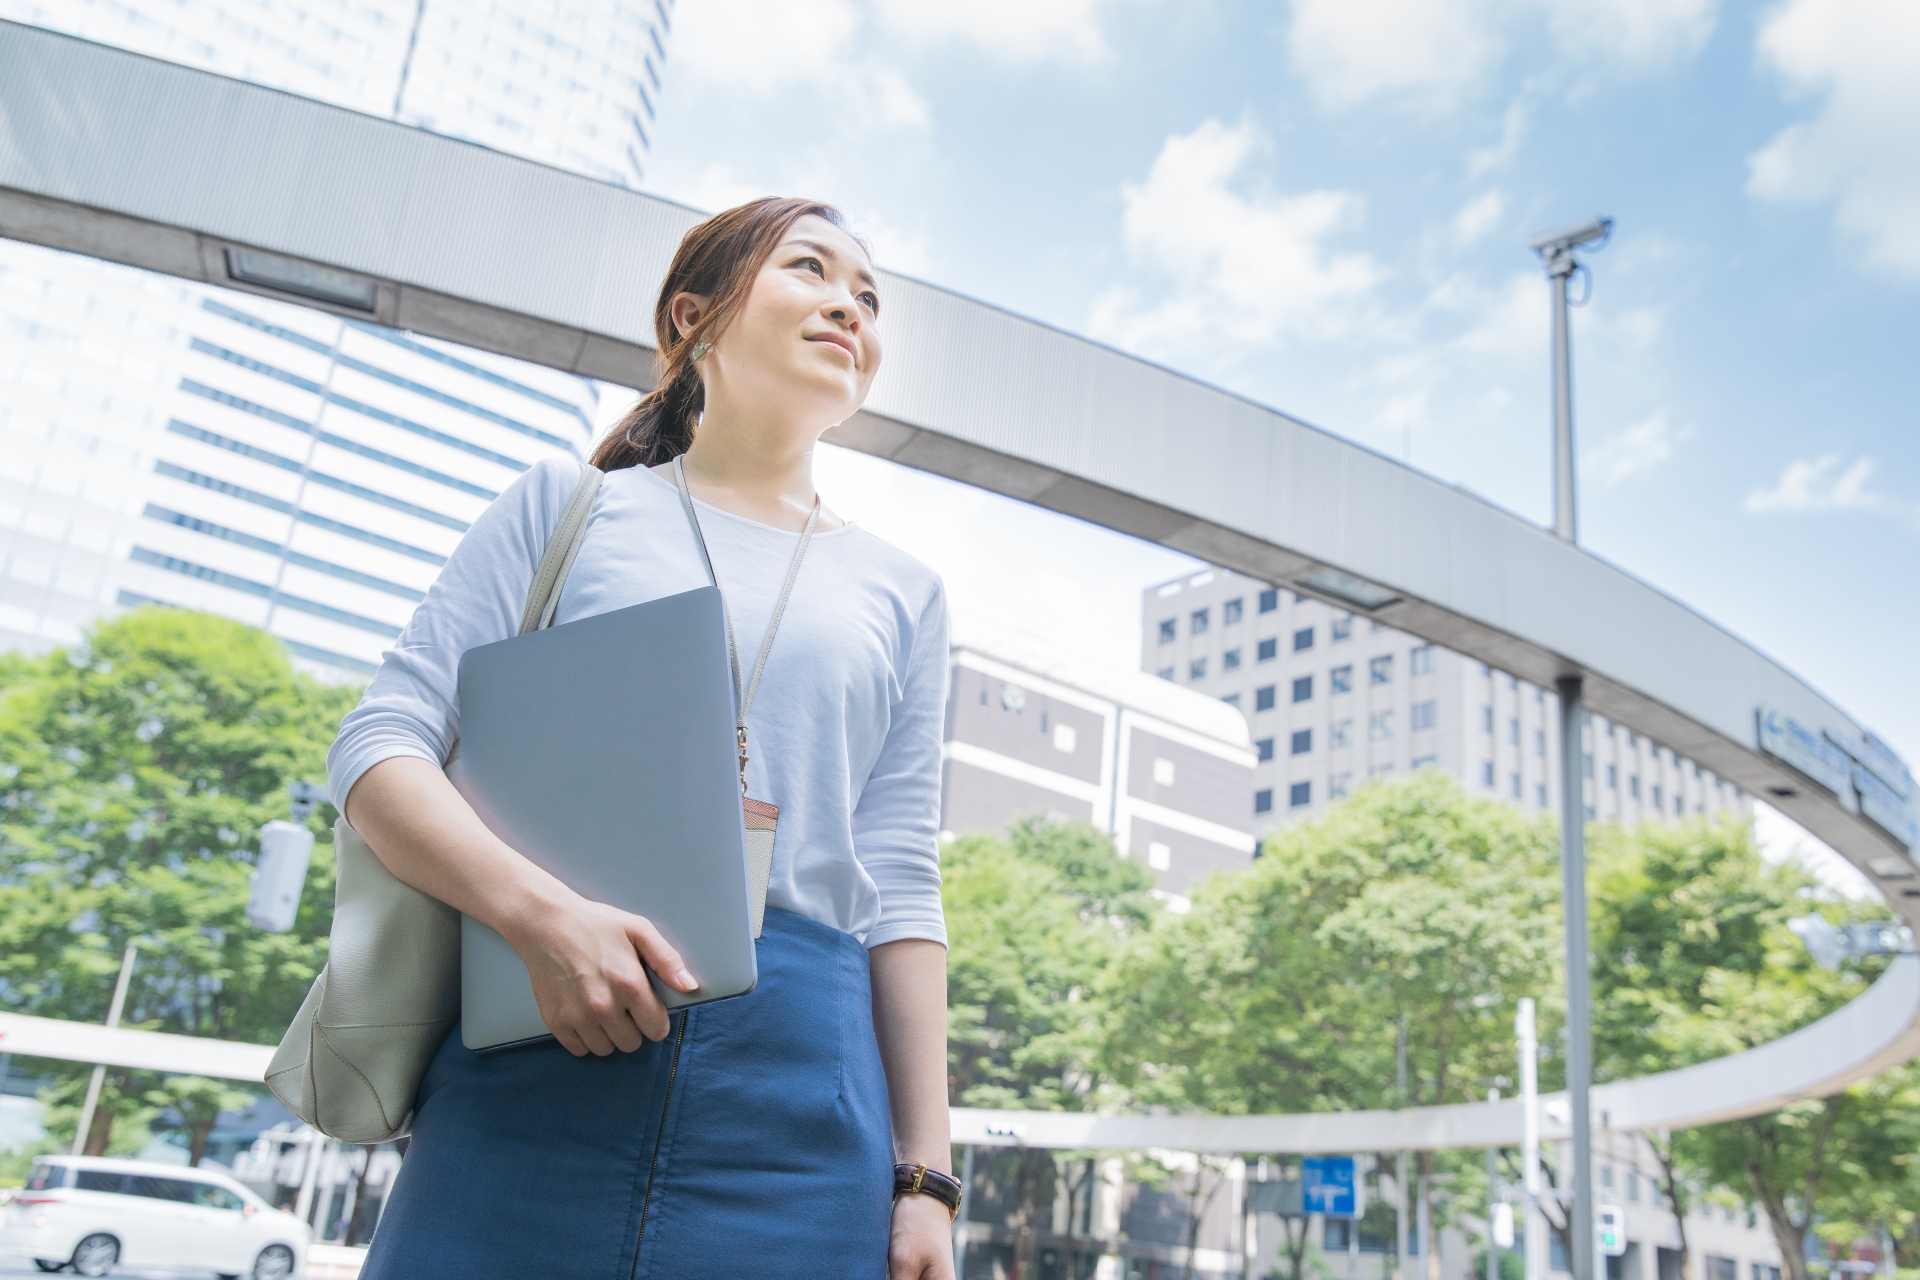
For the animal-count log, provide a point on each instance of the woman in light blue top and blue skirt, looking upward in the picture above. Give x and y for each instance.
(754, 1135)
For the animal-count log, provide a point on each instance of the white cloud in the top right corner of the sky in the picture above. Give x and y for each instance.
(1860, 149)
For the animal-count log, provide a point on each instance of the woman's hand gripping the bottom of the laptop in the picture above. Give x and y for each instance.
(588, 976)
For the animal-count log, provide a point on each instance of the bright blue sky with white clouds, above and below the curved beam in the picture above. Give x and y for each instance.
(1326, 204)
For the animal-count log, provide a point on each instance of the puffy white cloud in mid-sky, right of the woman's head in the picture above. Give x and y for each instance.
(1241, 266)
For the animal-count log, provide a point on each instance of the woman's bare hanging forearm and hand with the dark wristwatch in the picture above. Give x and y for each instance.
(911, 1026)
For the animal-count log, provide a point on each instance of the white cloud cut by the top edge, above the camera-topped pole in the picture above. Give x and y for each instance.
(1443, 53)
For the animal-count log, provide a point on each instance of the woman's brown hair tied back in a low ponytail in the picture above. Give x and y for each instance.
(717, 260)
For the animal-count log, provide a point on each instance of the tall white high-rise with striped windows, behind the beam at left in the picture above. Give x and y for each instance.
(299, 469)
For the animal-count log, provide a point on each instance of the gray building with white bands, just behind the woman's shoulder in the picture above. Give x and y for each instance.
(1036, 732)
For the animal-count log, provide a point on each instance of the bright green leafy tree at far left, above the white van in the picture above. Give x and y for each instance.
(135, 774)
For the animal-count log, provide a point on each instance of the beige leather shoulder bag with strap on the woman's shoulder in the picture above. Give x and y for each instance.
(391, 991)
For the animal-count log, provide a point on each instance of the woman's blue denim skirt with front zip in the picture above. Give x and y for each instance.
(752, 1141)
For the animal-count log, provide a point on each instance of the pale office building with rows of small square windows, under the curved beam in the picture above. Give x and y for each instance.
(1333, 698)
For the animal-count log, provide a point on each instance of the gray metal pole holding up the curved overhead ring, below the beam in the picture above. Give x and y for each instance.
(1579, 995)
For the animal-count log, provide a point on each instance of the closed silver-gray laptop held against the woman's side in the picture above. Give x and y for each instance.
(604, 751)
